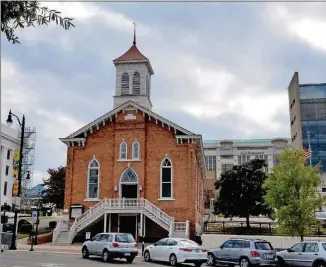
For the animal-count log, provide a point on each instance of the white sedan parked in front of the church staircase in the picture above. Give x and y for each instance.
(175, 251)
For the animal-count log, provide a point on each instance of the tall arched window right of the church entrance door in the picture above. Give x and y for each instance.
(166, 178)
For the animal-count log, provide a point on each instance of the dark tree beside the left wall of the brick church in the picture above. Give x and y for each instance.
(55, 187)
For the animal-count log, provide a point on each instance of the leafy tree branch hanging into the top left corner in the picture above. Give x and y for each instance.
(23, 14)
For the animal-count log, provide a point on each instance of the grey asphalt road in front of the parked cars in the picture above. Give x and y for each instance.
(28, 259)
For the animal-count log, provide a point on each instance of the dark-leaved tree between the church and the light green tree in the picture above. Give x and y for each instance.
(241, 193)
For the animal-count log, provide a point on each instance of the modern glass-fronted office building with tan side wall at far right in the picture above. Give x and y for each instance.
(307, 105)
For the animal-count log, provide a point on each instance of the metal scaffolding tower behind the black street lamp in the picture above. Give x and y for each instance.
(27, 162)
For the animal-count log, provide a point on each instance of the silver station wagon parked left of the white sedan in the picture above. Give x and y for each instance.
(111, 246)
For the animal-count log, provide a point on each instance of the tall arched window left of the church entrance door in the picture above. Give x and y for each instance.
(93, 179)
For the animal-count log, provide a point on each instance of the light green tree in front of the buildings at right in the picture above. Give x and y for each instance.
(291, 192)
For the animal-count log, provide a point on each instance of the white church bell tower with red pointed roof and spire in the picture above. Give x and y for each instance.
(133, 78)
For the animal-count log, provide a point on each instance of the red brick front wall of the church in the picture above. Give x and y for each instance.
(156, 142)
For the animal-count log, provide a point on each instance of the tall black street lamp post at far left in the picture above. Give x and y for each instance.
(22, 125)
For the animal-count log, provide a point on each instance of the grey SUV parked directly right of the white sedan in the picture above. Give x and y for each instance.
(243, 252)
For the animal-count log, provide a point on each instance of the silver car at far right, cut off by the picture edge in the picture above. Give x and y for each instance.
(304, 254)
